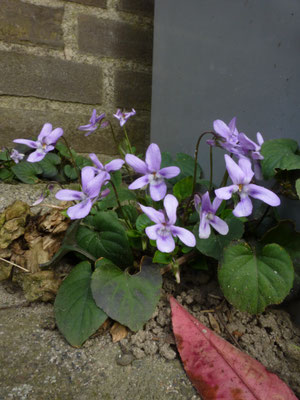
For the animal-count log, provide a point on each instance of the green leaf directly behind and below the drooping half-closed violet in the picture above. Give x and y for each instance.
(214, 245)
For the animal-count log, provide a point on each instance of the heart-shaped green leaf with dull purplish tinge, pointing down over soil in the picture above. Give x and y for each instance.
(128, 299)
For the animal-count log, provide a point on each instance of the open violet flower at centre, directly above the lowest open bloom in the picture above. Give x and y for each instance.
(152, 174)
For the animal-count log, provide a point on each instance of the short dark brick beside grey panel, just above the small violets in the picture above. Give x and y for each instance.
(133, 89)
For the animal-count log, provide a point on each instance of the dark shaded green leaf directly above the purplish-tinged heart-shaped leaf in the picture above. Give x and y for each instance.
(103, 235)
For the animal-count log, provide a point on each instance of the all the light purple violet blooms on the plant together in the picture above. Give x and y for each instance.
(153, 177)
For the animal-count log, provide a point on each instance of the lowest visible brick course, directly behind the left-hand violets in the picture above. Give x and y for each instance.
(28, 124)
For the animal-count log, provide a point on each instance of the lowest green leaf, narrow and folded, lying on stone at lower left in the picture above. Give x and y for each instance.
(76, 313)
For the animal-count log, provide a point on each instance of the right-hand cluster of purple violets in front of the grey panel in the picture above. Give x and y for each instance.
(241, 174)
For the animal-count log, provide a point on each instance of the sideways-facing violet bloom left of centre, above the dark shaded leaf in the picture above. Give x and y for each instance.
(91, 186)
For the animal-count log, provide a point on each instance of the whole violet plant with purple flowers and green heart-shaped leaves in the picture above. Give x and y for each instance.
(135, 219)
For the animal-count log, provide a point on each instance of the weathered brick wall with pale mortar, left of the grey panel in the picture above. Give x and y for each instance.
(59, 59)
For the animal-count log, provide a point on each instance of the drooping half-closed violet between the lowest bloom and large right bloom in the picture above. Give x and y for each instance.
(207, 213)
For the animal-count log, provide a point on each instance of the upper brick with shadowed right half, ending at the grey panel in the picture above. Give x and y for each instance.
(114, 39)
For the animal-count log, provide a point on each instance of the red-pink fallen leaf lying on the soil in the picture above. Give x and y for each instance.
(217, 369)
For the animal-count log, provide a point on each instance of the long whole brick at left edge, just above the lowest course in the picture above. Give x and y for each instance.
(49, 78)
